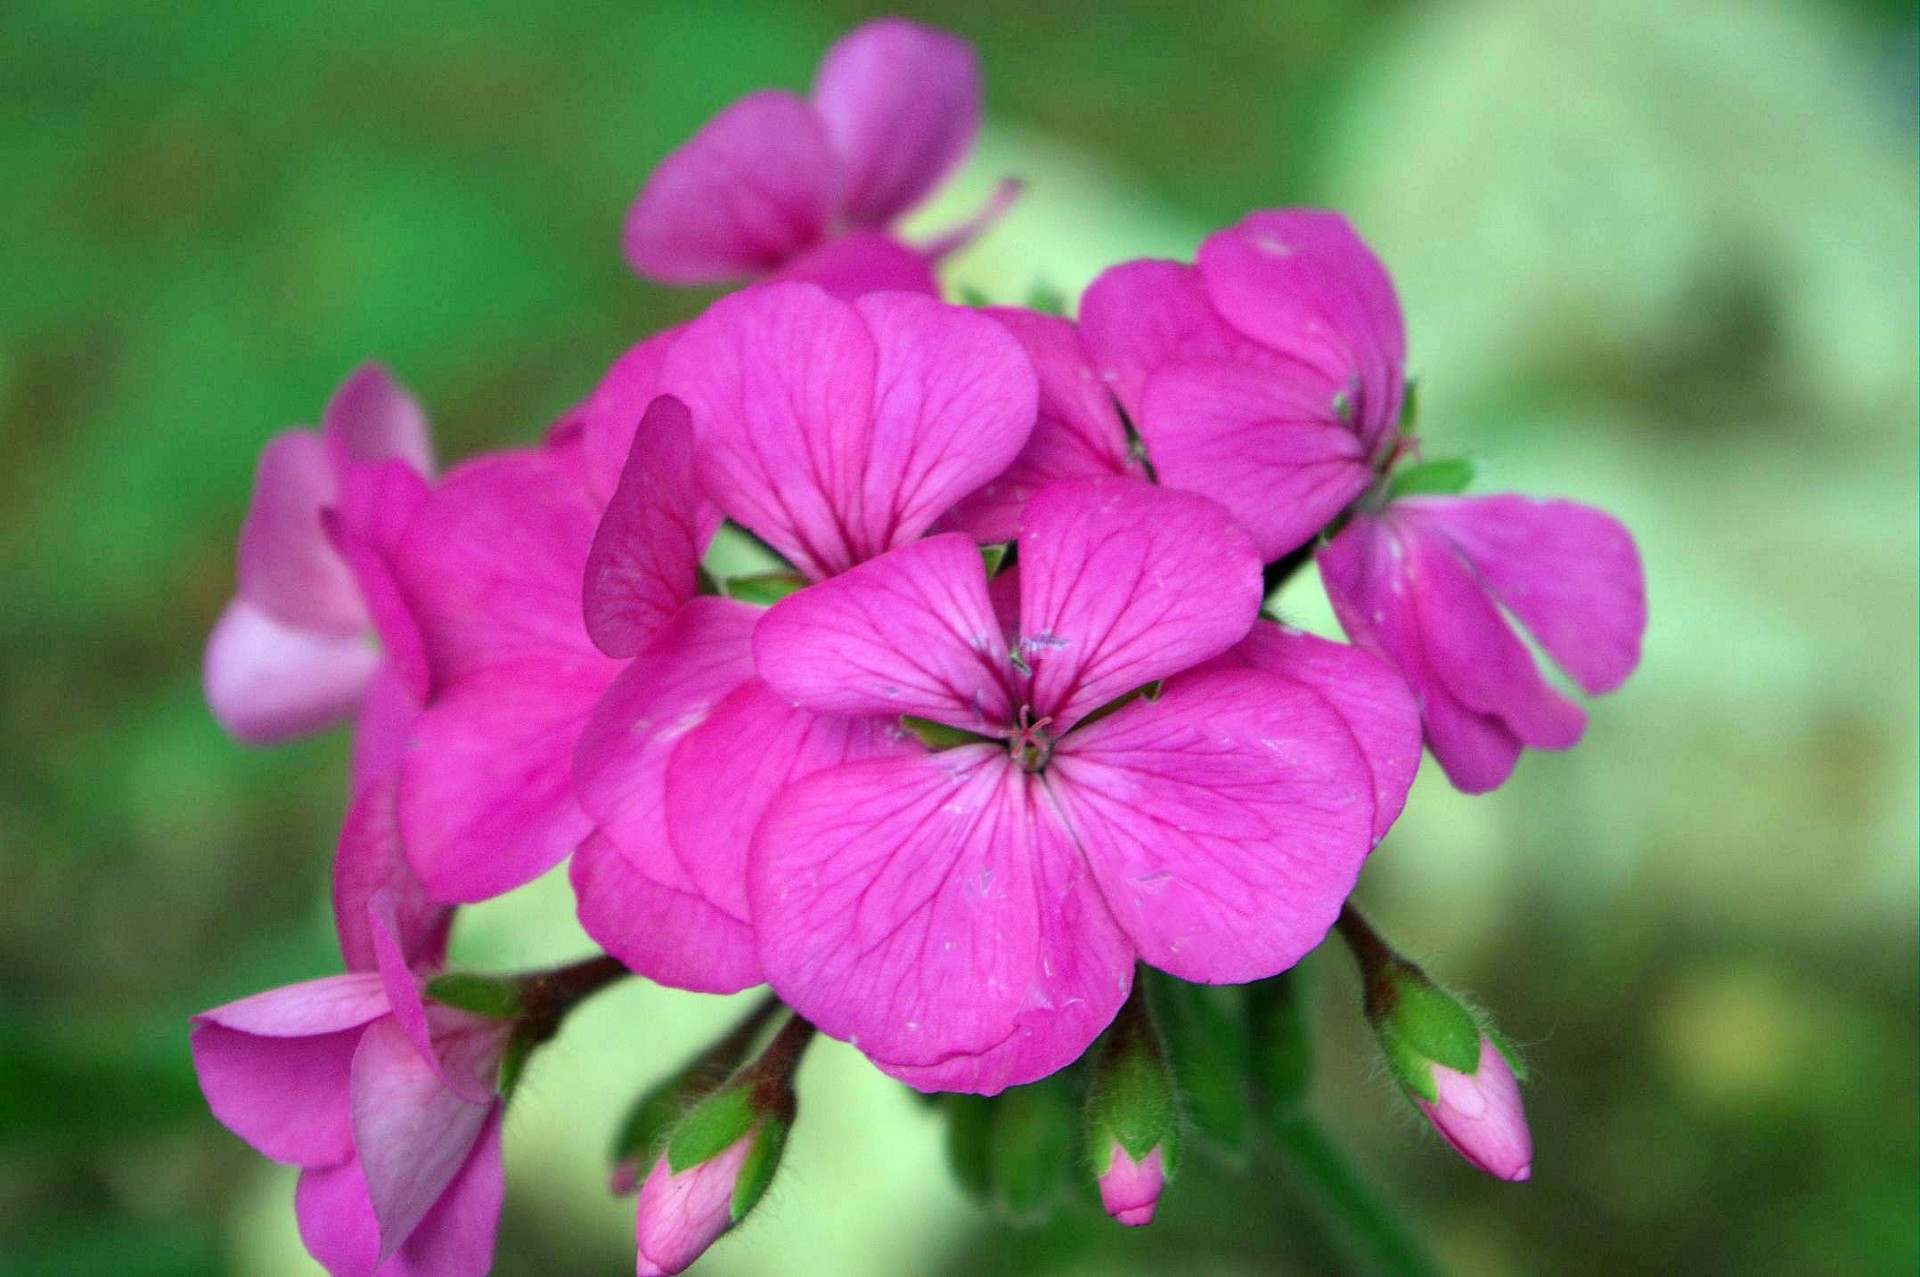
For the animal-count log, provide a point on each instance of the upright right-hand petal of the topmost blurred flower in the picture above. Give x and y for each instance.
(901, 105)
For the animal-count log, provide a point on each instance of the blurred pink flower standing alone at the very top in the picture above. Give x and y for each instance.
(779, 185)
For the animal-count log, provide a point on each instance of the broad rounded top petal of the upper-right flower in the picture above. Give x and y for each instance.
(1305, 285)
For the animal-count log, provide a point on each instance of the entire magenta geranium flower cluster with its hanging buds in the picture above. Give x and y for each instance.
(996, 719)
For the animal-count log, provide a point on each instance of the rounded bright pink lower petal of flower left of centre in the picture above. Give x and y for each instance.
(487, 796)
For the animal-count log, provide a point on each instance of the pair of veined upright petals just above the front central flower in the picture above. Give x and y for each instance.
(838, 431)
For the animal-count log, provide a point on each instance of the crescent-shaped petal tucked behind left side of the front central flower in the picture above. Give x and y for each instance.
(671, 687)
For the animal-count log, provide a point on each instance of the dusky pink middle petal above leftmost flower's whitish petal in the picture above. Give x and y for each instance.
(287, 566)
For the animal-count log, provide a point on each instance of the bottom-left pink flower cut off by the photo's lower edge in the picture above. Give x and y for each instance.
(385, 1101)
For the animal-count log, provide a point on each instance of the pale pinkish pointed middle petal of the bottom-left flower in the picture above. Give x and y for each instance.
(412, 1134)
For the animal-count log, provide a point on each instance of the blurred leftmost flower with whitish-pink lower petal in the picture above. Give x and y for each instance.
(295, 652)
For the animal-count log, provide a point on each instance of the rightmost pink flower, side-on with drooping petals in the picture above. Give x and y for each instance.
(1435, 587)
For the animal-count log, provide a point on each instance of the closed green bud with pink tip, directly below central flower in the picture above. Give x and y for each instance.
(1132, 1117)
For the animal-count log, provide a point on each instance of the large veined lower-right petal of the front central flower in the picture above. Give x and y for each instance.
(1226, 823)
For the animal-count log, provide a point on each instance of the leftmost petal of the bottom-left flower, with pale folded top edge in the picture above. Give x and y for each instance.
(276, 1067)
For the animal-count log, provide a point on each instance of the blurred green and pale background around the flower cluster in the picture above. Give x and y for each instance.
(1654, 256)
